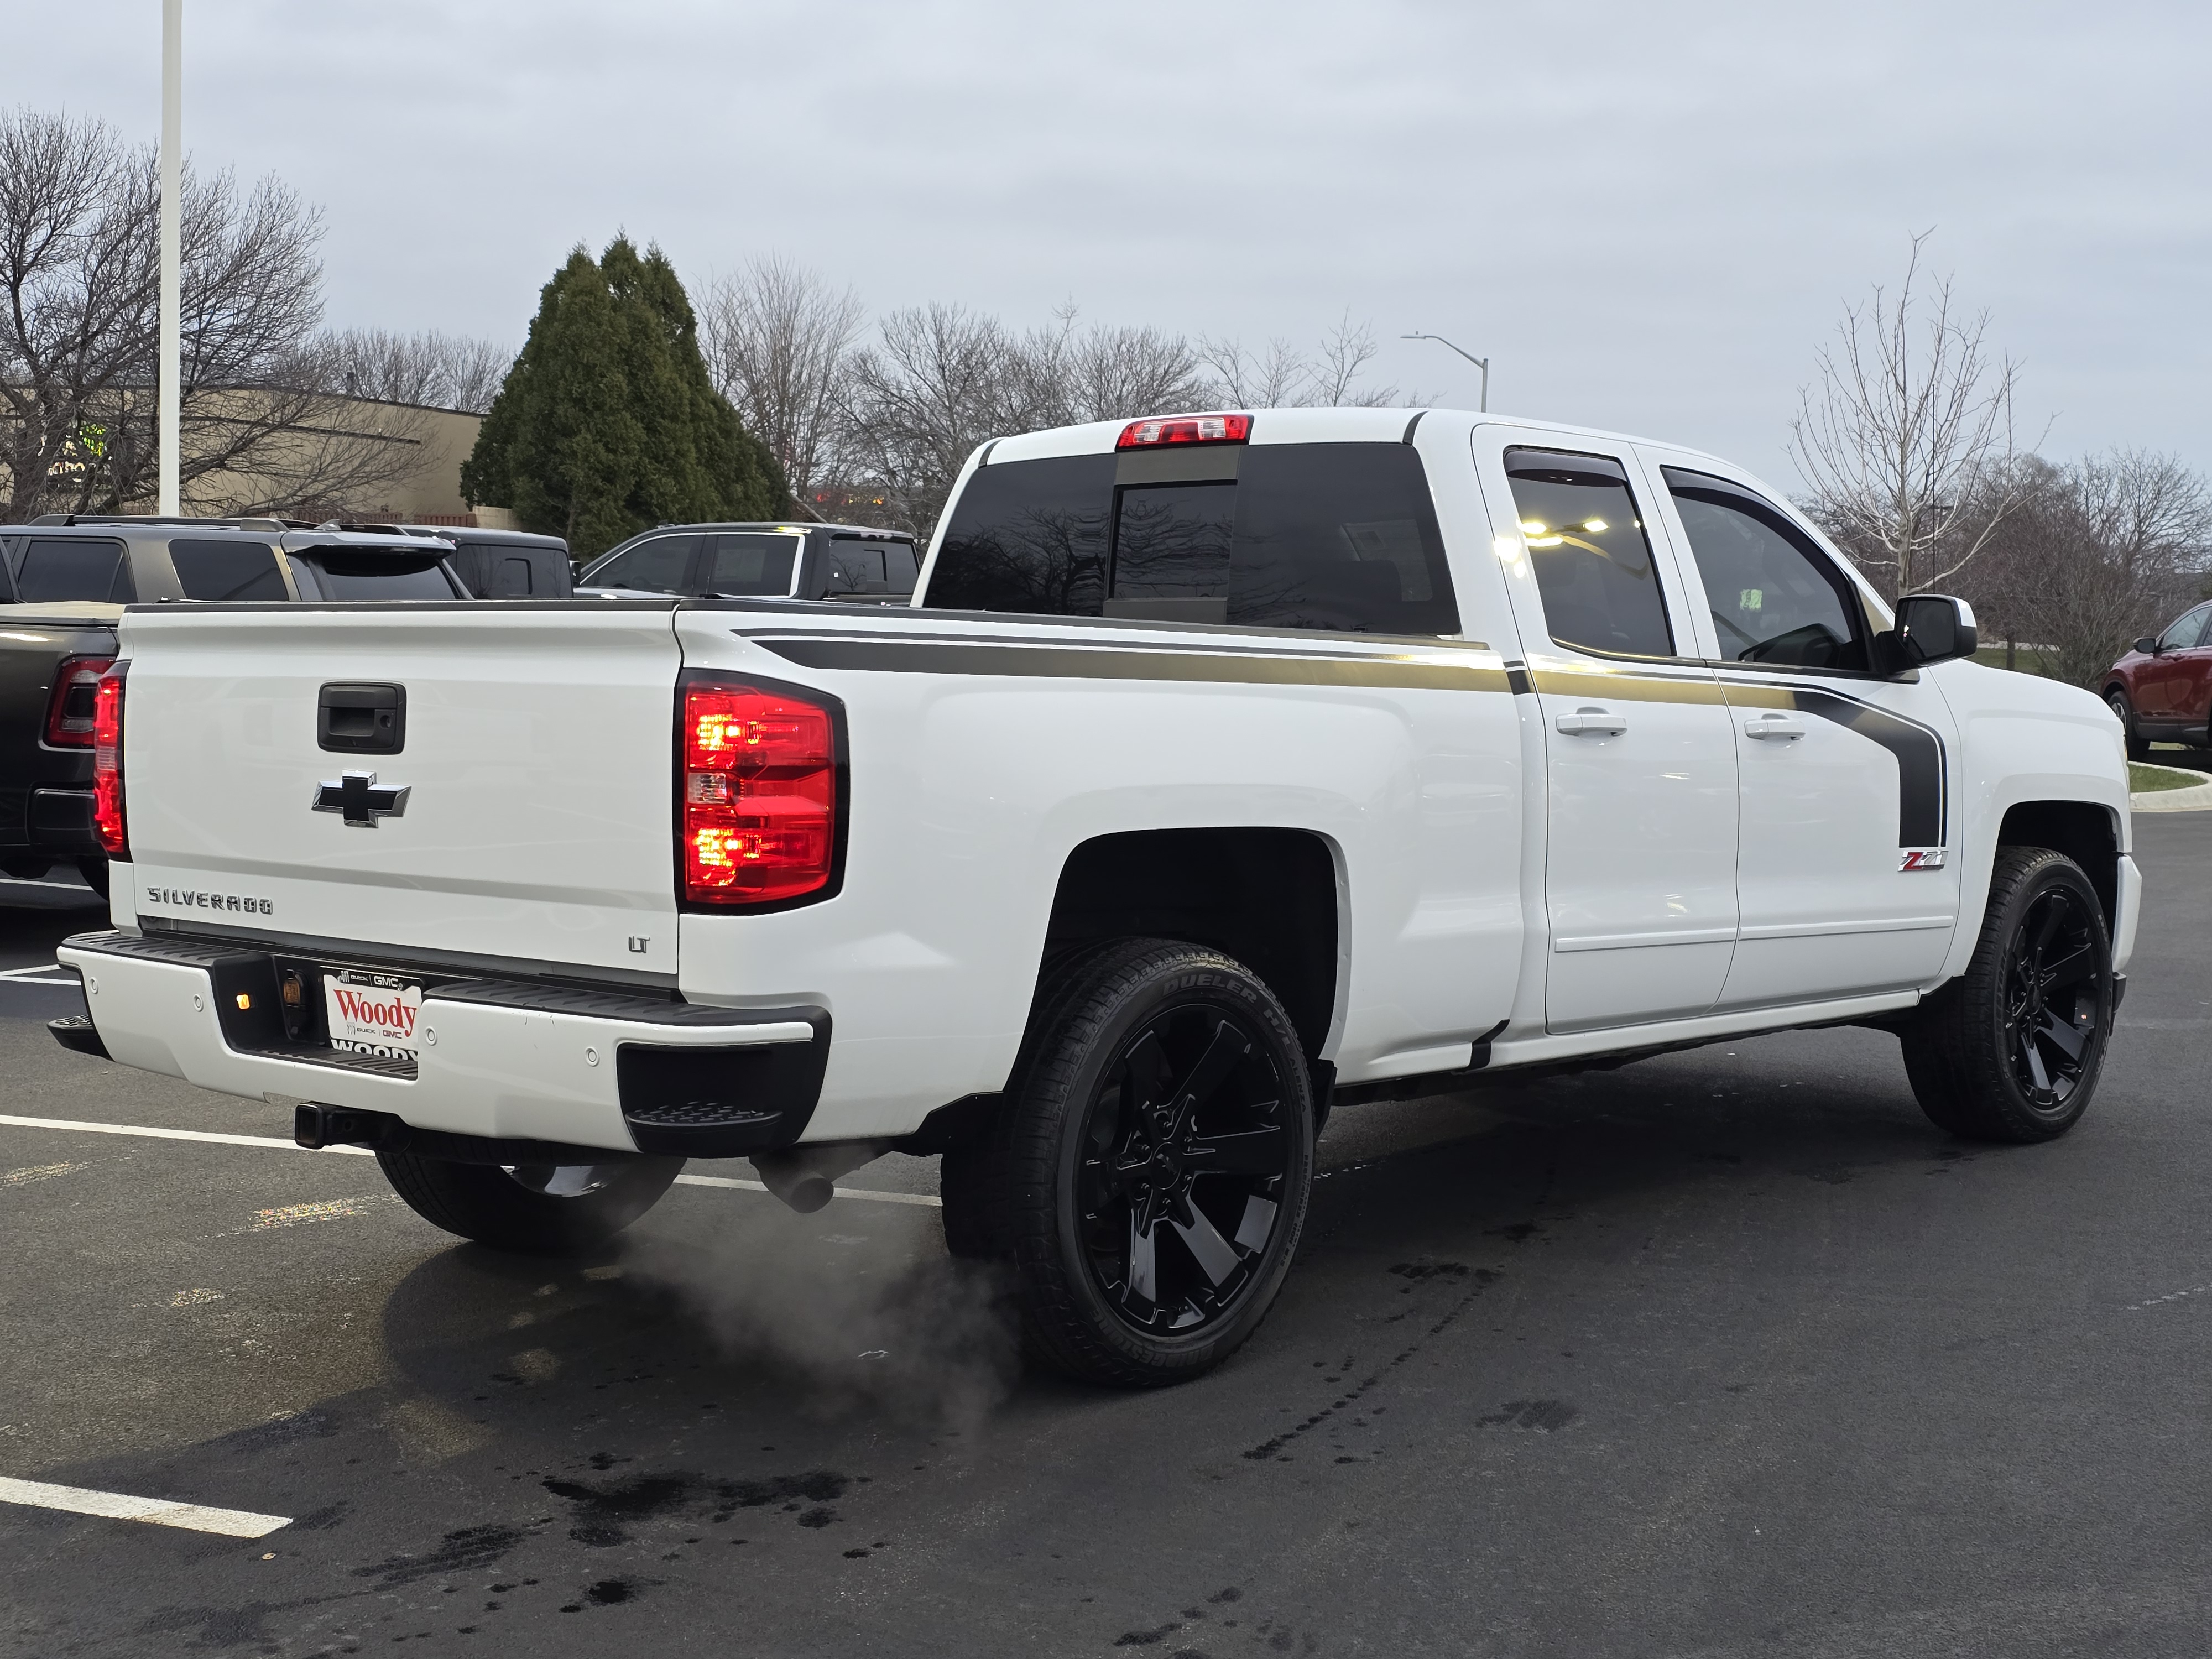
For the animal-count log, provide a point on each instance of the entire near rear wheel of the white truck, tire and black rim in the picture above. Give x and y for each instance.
(1151, 1169)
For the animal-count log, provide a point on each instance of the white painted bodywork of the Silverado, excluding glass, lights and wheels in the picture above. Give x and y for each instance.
(1490, 870)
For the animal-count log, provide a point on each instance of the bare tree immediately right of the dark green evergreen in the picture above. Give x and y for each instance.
(778, 342)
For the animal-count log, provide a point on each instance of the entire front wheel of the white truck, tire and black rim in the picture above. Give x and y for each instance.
(2014, 1050)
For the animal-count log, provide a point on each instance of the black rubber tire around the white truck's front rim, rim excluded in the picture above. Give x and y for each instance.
(1959, 1050)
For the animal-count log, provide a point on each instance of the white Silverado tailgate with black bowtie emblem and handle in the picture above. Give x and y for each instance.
(536, 762)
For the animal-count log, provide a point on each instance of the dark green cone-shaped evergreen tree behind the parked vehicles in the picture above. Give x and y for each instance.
(609, 421)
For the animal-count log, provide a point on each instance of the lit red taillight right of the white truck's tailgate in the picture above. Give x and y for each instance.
(760, 795)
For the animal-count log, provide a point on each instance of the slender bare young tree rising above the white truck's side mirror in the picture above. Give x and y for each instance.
(1910, 435)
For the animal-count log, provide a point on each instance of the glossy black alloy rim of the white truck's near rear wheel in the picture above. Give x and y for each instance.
(1185, 1165)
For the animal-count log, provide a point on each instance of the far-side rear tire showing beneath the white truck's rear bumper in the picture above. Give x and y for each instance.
(550, 1209)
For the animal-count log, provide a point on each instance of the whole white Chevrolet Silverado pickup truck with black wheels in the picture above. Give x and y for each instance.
(1227, 766)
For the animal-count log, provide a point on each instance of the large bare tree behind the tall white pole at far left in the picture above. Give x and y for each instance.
(81, 317)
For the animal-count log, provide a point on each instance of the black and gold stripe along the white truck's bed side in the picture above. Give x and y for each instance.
(1061, 662)
